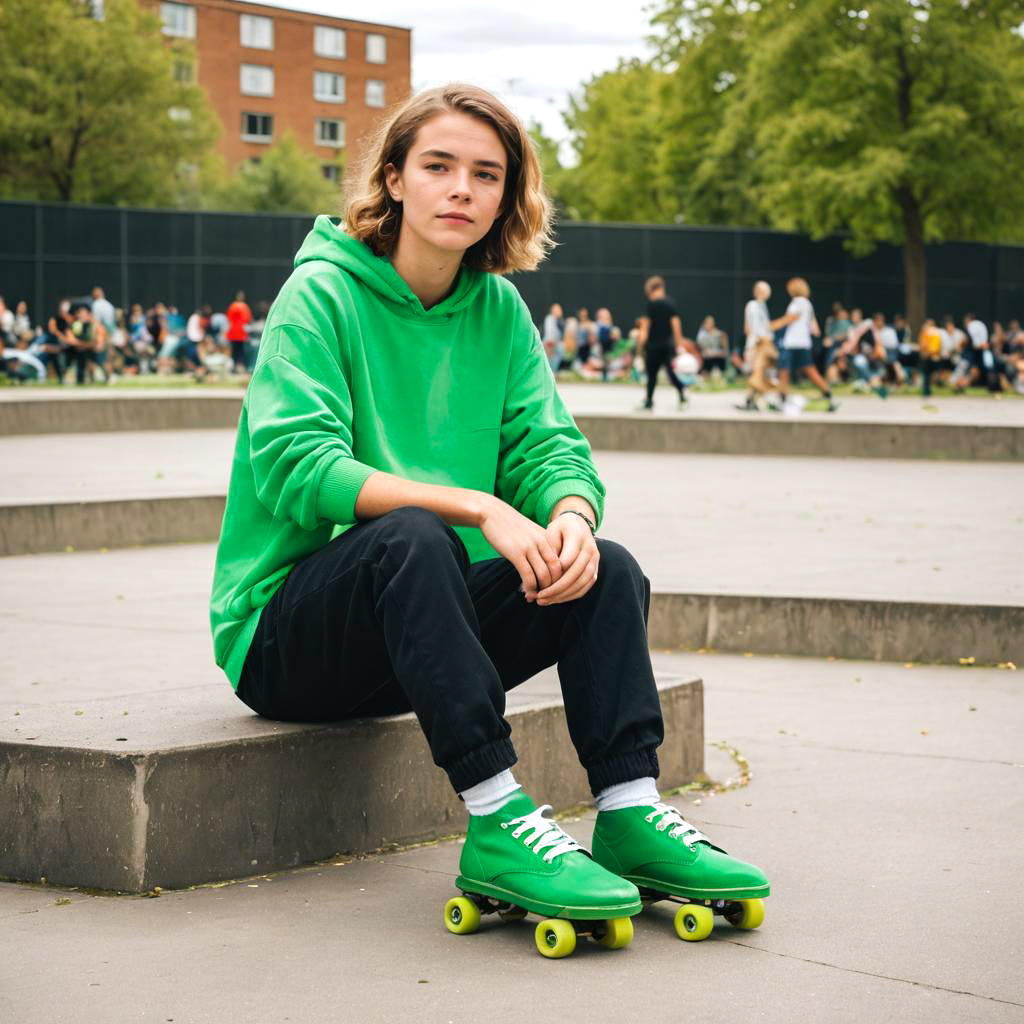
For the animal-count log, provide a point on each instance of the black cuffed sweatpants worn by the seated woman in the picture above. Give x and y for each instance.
(391, 617)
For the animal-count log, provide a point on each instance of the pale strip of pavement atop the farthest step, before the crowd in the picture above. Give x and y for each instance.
(618, 398)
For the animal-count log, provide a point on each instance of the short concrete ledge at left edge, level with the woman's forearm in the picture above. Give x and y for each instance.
(31, 530)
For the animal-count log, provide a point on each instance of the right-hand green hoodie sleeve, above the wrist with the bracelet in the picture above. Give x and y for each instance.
(543, 457)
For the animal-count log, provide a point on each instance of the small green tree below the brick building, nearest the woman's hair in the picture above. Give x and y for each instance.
(288, 180)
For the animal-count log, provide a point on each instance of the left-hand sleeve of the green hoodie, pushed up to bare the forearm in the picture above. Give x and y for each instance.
(301, 433)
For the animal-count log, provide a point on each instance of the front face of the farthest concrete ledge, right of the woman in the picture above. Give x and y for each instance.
(784, 437)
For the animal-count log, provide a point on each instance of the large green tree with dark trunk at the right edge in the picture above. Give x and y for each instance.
(899, 121)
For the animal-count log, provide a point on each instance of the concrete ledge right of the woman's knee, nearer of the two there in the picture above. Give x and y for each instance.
(855, 628)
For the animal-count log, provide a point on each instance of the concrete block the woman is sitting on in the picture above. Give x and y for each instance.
(198, 790)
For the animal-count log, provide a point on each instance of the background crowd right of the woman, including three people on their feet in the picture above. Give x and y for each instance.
(875, 354)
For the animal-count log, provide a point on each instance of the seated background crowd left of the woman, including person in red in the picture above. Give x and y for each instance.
(100, 344)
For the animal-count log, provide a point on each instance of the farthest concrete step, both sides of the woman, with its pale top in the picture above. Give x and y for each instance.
(865, 428)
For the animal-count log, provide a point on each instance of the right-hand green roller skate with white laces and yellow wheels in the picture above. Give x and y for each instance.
(667, 859)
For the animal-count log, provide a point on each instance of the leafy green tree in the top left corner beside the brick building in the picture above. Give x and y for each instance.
(92, 112)
